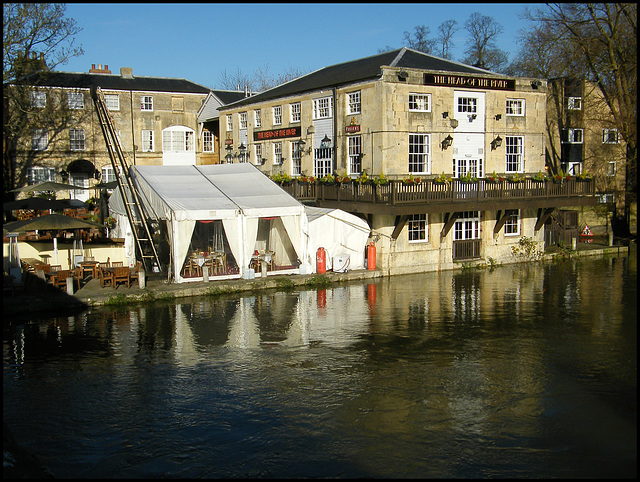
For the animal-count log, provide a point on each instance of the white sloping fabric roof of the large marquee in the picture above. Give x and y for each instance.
(208, 192)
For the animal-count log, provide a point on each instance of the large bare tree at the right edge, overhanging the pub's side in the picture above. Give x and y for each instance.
(599, 43)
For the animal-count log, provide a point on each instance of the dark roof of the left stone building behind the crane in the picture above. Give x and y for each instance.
(116, 82)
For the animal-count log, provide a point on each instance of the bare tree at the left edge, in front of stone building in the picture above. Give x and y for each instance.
(36, 37)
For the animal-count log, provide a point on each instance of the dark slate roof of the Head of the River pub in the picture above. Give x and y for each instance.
(360, 70)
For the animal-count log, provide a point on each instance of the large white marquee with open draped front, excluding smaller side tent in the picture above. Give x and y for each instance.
(239, 196)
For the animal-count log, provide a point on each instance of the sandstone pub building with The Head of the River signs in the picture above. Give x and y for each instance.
(405, 115)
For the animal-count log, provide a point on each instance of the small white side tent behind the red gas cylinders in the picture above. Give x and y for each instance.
(339, 233)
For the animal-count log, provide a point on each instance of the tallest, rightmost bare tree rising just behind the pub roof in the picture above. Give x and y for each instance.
(481, 43)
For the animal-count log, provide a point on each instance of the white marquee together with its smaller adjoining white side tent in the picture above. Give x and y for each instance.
(254, 211)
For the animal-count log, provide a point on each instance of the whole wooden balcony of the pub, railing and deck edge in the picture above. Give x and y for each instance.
(397, 198)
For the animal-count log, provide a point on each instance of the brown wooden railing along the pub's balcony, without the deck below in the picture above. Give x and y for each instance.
(397, 193)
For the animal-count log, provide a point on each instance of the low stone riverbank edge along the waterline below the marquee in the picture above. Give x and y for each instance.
(39, 298)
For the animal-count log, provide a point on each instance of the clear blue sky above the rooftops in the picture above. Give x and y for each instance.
(199, 41)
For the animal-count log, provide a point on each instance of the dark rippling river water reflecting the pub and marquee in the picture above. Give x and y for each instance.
(521, 371)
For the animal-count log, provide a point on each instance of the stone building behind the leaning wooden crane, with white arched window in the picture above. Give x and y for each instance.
(155, 117)
